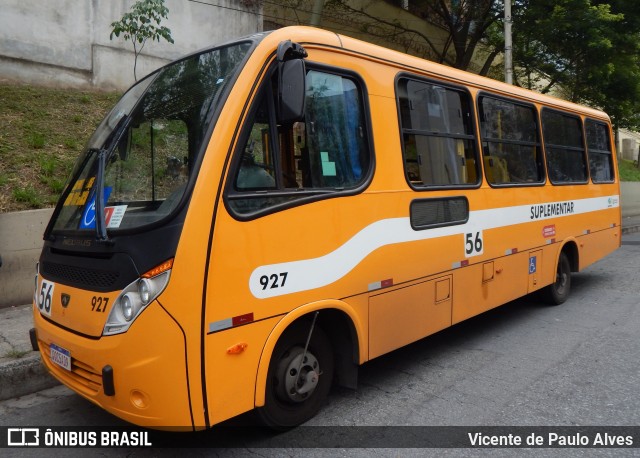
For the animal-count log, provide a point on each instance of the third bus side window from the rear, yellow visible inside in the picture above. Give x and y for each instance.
(510, 142)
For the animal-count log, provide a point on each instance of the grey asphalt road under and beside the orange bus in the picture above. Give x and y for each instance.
(523, 364)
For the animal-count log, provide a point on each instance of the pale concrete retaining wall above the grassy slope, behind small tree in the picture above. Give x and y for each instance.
(65, 43)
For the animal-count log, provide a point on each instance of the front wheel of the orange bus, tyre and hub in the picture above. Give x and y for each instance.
(297, 382)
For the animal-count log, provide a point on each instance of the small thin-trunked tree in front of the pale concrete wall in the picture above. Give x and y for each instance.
(141, 24)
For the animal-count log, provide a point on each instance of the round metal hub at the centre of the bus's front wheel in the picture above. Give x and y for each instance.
(298, 375)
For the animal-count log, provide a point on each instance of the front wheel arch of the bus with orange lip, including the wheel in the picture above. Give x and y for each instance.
(332, 330)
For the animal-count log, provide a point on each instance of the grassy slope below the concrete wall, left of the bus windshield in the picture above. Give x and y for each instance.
(42, 132)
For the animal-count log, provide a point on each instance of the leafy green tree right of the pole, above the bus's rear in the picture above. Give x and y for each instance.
(585, 51)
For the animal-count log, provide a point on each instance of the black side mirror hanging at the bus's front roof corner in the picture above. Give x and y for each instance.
(291, 82)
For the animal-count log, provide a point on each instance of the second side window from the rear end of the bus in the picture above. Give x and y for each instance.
(563, 143)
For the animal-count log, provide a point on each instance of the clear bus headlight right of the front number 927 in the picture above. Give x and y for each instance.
(132, 301)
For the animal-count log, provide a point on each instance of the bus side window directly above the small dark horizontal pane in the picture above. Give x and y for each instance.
(437, 133)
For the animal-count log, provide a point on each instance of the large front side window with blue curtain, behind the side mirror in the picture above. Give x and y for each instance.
(325, 152)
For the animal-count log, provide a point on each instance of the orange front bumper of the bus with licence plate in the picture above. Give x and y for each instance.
(139, 376)
